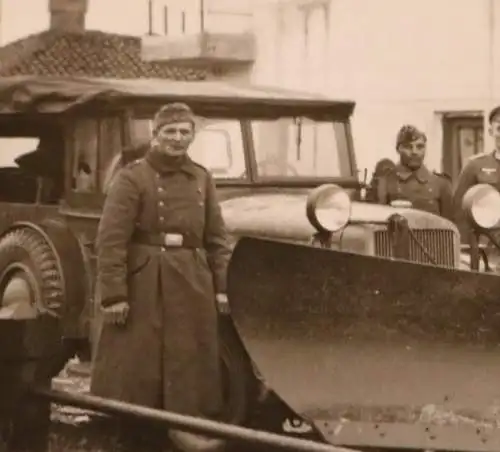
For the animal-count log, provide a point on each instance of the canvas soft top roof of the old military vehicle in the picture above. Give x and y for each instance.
(44, 94)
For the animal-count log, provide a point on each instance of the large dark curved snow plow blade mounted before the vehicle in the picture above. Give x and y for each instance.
(373, 352)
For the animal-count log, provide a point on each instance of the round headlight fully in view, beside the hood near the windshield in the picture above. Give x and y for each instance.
(328, 208)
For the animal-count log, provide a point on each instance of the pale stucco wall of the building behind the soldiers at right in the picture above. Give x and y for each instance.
(402, 61)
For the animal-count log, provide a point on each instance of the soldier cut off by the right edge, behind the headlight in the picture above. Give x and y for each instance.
(480, 169)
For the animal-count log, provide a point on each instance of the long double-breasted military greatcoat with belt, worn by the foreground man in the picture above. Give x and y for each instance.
(166, 355)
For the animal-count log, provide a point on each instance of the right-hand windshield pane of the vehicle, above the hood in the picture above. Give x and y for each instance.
(301, 147)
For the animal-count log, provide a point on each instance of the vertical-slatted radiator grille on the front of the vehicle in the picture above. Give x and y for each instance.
(439, 243)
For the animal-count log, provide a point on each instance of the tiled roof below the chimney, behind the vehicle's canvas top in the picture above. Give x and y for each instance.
(91, 54)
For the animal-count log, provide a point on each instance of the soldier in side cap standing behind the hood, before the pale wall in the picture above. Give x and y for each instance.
(412, 181)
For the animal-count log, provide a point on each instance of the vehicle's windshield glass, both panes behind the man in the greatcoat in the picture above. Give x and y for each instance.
(292, 147)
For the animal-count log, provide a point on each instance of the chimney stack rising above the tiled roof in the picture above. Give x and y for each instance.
(68, 15)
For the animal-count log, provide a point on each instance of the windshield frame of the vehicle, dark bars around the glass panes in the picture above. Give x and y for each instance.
(252, 177)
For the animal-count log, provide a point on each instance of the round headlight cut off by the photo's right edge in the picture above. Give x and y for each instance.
(482, 205)
